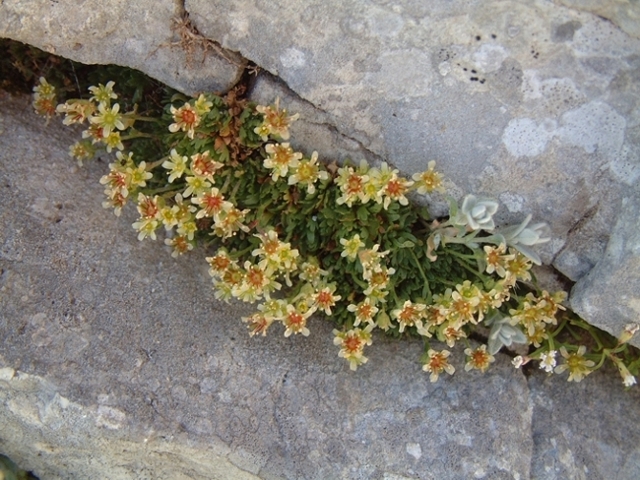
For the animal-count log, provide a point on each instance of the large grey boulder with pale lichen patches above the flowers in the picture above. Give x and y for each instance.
(529, 102)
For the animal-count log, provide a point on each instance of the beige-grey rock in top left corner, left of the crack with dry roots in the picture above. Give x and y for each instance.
(139, 35)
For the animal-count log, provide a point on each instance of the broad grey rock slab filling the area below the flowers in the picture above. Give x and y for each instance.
(117, 362)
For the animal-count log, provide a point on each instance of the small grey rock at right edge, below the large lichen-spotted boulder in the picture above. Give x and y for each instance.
(608, 295)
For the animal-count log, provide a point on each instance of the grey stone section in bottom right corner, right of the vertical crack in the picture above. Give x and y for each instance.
(580, 431)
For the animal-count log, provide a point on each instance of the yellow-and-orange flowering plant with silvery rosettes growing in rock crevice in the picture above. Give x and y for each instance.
(300, 237)
